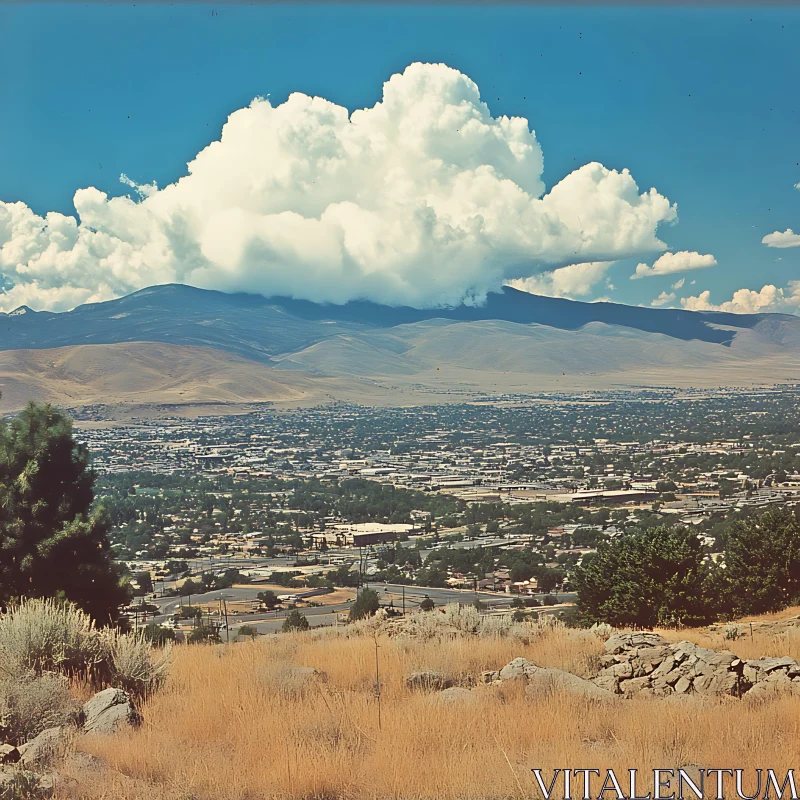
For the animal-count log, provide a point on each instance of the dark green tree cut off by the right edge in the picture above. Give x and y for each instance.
(762, 563)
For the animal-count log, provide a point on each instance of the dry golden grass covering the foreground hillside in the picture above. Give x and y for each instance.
(232, 725)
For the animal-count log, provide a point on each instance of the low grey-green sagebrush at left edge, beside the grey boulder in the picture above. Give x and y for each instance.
(32, 703)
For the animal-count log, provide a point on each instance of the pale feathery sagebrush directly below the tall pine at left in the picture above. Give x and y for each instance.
(47, 636)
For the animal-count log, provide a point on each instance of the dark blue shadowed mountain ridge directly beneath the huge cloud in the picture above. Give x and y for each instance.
(260, 327)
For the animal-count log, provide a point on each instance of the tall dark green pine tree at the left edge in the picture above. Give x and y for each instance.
(52, 544)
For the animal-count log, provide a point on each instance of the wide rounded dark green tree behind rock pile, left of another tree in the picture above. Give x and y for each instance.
(656, 576)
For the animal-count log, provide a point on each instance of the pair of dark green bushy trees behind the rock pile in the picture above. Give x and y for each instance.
(667, 576)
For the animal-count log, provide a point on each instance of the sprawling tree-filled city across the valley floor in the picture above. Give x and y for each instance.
(235, 520)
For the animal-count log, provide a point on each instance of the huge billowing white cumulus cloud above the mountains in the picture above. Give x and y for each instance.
(423, 199)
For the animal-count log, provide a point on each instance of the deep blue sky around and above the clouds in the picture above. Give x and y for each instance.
(701, 104)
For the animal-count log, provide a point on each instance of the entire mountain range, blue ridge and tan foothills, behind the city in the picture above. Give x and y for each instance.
(177, 344)
